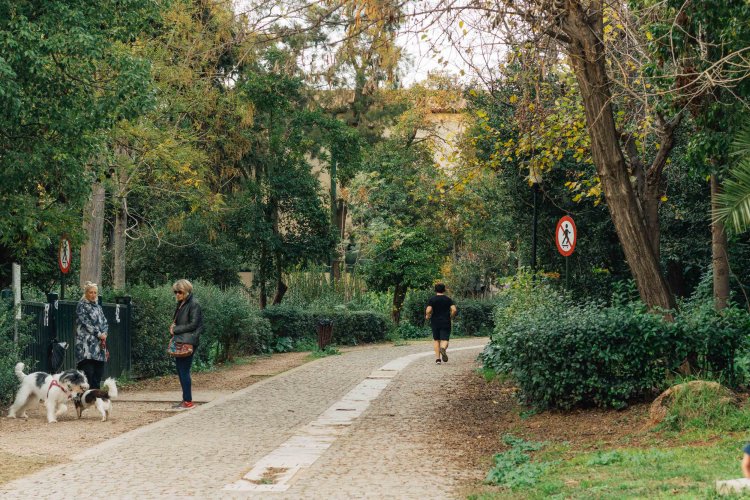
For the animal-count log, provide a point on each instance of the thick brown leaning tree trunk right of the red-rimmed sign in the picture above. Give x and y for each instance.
(586, 52)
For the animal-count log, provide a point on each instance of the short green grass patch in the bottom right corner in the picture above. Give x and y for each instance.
(678, 472)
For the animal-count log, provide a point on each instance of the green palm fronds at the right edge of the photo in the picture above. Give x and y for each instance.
(734, 201)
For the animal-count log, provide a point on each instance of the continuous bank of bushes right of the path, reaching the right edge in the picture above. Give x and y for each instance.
(564, 354)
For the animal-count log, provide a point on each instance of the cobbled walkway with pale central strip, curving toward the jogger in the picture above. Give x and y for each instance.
(349, 426)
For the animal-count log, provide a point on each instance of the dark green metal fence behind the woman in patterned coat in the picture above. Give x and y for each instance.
(56, 319)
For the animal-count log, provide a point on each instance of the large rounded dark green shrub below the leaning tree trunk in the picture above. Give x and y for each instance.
(567, 355)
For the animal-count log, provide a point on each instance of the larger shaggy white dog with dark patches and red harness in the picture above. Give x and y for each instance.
(54, 390)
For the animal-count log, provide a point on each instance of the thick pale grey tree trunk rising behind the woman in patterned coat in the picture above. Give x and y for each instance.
(93, 226)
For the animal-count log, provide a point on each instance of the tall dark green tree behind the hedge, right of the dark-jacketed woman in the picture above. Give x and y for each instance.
(278, 219)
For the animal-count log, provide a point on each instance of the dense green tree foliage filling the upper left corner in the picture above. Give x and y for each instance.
(64, 81)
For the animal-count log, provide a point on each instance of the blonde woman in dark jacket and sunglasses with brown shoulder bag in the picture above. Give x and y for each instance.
(186, 327)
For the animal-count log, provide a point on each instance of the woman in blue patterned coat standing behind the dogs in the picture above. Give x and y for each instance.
(91, 335)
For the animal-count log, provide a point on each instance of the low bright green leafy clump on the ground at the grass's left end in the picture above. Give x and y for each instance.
(513, 468)
